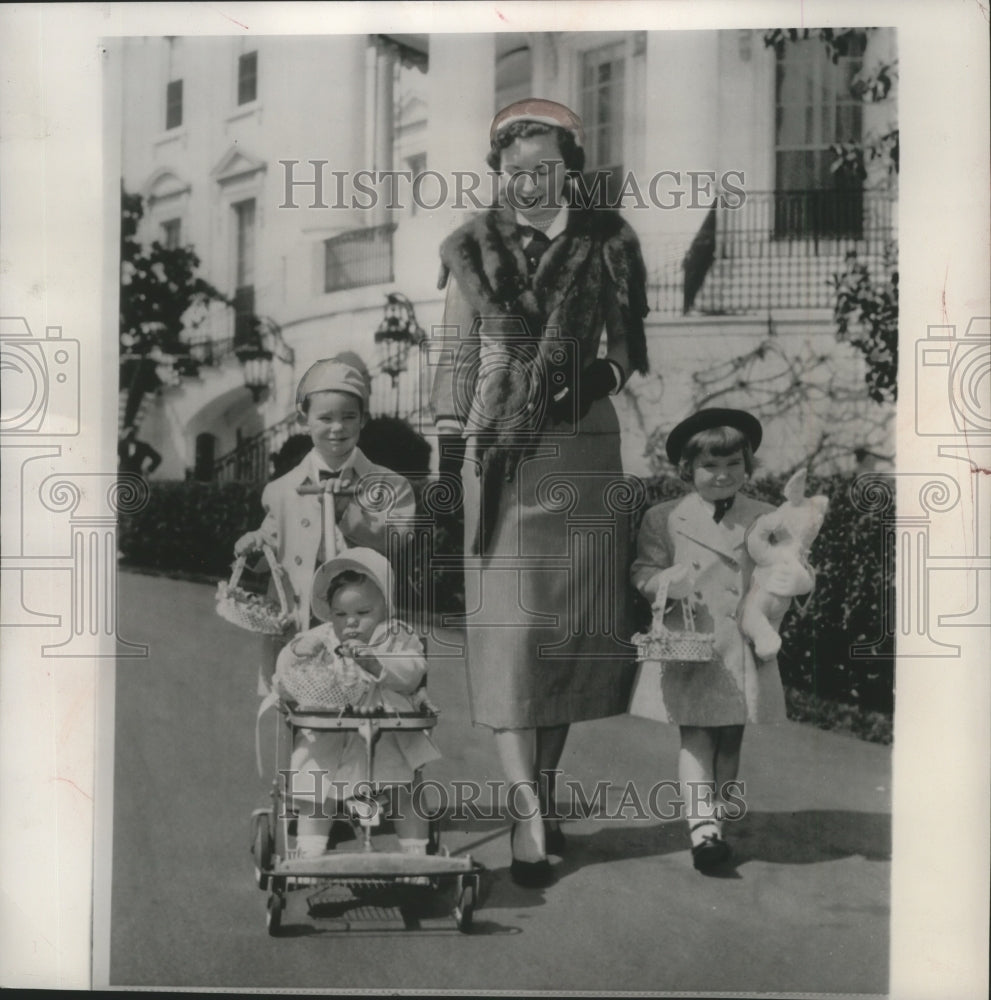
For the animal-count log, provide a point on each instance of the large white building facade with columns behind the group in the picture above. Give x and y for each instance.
(250, 150)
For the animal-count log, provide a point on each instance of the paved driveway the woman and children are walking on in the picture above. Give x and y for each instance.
(805, 911)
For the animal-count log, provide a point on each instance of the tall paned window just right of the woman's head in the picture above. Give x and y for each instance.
(602, 91)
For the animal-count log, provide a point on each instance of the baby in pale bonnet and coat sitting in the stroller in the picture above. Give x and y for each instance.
(363, 657)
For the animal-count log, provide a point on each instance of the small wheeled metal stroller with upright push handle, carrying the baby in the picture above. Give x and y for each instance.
(356, 877)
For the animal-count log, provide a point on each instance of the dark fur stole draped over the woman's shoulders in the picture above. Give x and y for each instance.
(591, 269)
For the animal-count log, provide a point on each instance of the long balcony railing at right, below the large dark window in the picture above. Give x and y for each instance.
(778, 250)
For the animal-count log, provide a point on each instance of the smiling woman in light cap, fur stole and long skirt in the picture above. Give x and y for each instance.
(532, 283)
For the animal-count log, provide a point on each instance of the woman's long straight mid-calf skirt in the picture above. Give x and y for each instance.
(548, 606)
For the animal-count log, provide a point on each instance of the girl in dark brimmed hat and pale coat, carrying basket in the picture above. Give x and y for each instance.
(693, 549)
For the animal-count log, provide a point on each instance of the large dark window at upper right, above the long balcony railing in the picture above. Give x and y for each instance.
(815, 109)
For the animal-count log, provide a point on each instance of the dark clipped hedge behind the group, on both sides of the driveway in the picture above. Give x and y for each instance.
(192, 526)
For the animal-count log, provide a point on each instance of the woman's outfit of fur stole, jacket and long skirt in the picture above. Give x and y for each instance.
(547, 609)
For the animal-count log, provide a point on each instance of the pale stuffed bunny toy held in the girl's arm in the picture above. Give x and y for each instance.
(779, 543)
